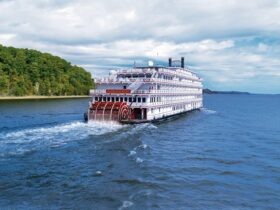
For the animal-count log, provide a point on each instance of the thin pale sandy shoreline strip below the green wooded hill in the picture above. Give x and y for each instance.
(2, 98)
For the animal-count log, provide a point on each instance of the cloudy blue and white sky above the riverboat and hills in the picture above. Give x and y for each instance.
(231, 44)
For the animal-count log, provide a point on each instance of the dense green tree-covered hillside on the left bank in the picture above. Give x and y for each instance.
(30, 72)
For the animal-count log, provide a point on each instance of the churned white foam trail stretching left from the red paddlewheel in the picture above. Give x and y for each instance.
(18, 142)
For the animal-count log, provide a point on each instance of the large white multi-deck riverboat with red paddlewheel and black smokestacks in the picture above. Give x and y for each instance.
(144, 94)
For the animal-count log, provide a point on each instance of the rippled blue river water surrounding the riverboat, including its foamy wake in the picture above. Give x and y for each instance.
(226, 156)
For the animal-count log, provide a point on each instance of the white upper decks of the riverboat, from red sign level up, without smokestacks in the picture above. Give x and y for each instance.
(152, 79)
